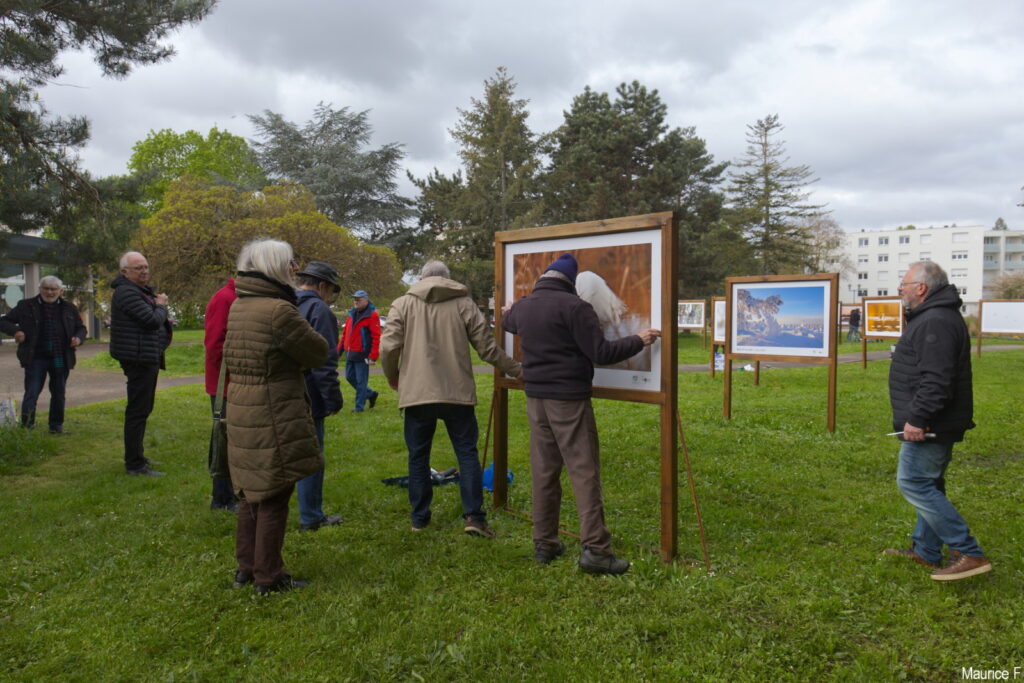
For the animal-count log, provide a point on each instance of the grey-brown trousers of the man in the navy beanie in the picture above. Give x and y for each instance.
(564, 433)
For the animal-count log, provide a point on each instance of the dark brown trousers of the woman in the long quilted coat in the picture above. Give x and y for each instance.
(261, 537)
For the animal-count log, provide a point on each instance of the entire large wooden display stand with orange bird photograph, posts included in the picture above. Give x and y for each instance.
(635, 259)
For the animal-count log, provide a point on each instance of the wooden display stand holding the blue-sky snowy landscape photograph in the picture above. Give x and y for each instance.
(789, 319)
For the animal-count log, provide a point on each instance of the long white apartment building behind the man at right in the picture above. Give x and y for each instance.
(973, 255)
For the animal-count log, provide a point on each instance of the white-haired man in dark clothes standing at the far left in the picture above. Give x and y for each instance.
(48, 329)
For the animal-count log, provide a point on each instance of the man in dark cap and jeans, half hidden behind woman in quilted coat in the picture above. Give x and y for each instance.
(318, 285)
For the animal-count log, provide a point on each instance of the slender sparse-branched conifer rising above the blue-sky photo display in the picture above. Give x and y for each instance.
(771, 199)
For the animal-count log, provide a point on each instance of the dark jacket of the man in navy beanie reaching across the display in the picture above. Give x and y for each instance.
(563, 341)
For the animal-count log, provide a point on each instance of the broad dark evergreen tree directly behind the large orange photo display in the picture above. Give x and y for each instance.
(621, 158)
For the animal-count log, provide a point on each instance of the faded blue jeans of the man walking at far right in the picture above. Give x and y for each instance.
(921, 478)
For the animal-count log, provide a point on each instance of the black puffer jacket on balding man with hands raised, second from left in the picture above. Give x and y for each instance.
(141, 330)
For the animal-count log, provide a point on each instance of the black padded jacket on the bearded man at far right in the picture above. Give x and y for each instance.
(930, 385)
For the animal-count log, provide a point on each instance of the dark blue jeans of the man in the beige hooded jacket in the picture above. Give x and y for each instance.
(421, 421)
